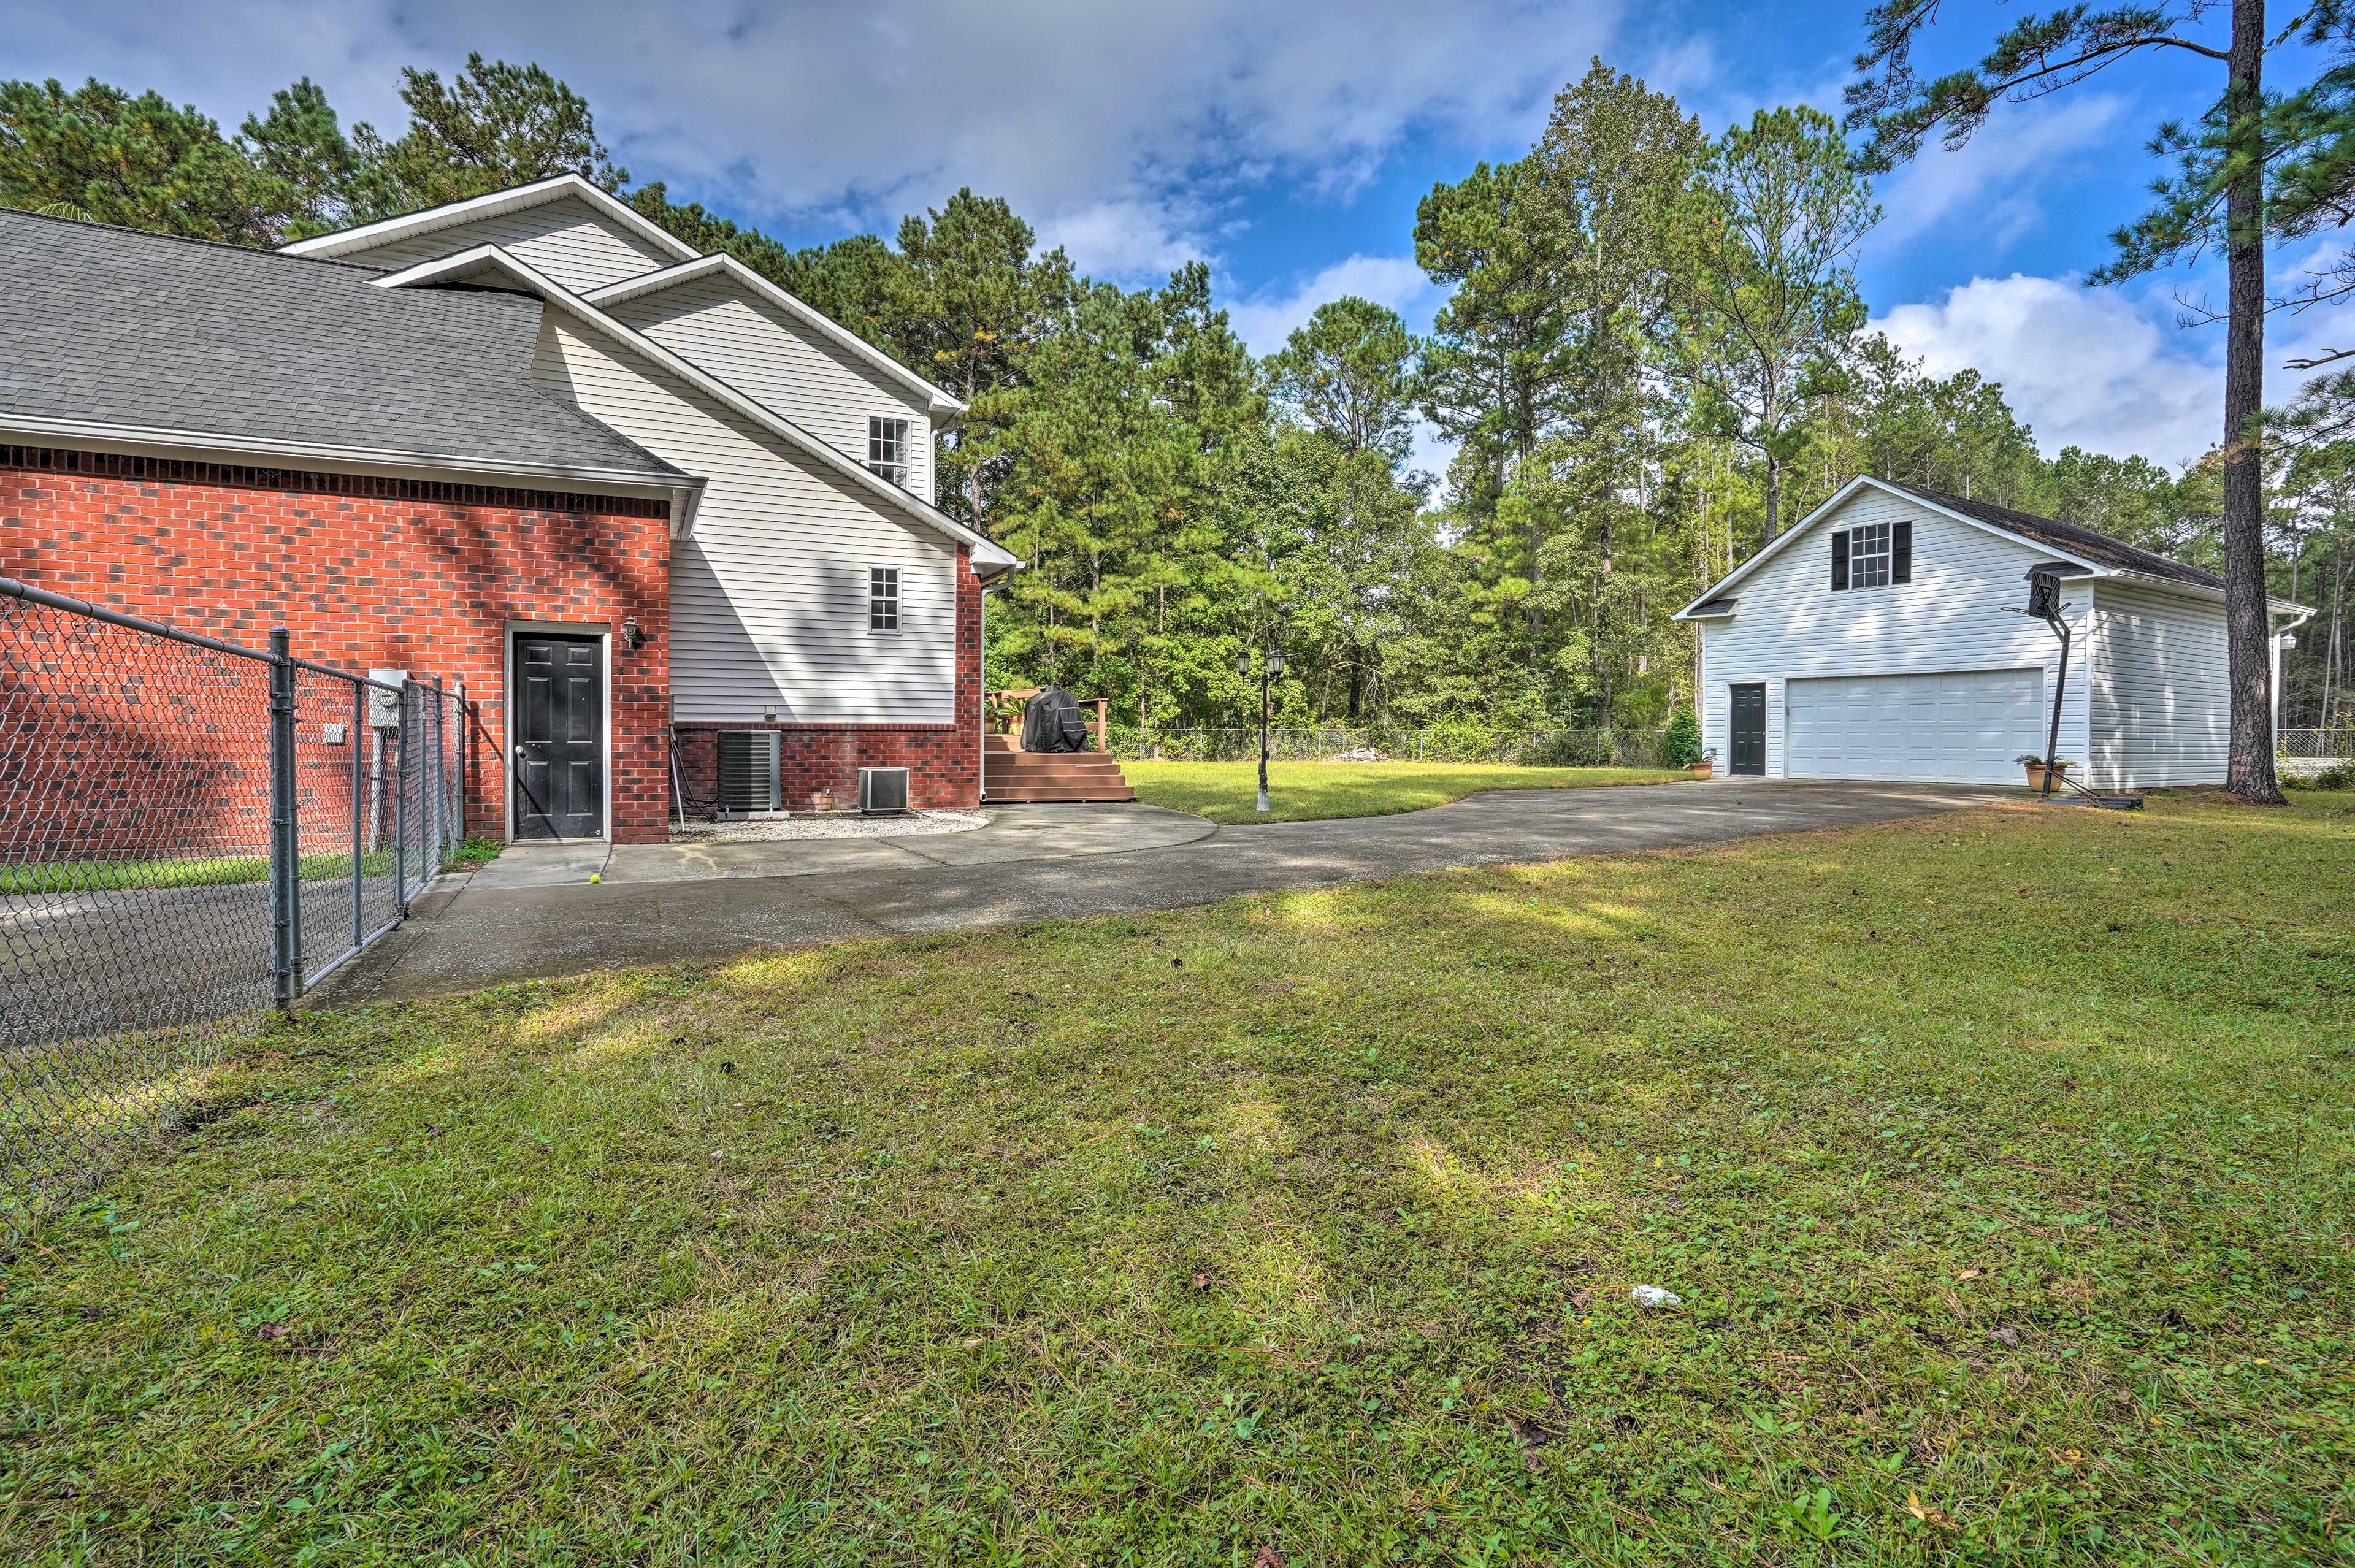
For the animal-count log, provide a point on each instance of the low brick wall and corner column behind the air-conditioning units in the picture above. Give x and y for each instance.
(943, 762)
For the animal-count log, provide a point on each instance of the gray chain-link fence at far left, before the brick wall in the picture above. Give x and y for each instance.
(192, 835)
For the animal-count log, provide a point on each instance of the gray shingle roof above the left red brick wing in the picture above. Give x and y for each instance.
(135, 328)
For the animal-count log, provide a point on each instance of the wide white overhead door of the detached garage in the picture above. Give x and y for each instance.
(1963, 729)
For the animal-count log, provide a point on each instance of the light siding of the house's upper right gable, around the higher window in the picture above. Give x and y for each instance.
(724, 328)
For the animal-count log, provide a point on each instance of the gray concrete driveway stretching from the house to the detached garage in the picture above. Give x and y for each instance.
(533, 912)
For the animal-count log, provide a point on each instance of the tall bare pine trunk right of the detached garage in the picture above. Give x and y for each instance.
(2248, 625)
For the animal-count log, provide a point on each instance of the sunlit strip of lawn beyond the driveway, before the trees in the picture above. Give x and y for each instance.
(1313, 792)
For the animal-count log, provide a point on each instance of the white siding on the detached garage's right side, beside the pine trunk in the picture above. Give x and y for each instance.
(2163, 703)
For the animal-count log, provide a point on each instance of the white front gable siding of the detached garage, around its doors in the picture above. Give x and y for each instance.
(1791, 625)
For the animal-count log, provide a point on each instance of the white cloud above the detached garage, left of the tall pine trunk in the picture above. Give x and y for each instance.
(2090, 368)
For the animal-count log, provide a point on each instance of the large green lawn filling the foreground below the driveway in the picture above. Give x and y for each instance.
(2003, 1164)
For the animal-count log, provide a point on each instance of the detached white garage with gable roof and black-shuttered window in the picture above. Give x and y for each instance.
(1878, 642)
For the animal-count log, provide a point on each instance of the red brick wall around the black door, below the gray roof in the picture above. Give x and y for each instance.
(366, 573)
